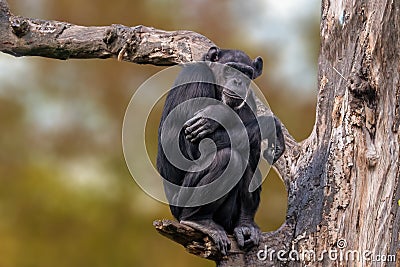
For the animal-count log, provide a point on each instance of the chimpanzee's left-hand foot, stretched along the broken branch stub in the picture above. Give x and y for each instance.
(215, 231)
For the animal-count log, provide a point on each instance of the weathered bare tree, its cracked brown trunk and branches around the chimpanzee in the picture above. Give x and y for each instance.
(342, 181)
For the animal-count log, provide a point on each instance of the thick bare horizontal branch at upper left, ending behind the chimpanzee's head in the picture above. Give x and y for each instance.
(60, 40)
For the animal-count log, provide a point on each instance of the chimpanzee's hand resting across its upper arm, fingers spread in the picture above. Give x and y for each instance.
(201, 125)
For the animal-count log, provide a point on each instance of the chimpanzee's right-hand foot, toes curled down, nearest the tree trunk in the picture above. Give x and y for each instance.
(247, 235)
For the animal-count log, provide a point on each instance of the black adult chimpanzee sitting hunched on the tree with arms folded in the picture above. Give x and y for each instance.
(223, 76)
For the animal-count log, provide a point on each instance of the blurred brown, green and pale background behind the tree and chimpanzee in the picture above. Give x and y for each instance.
(66, 195)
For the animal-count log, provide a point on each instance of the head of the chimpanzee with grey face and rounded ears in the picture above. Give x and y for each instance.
(233, 74)
